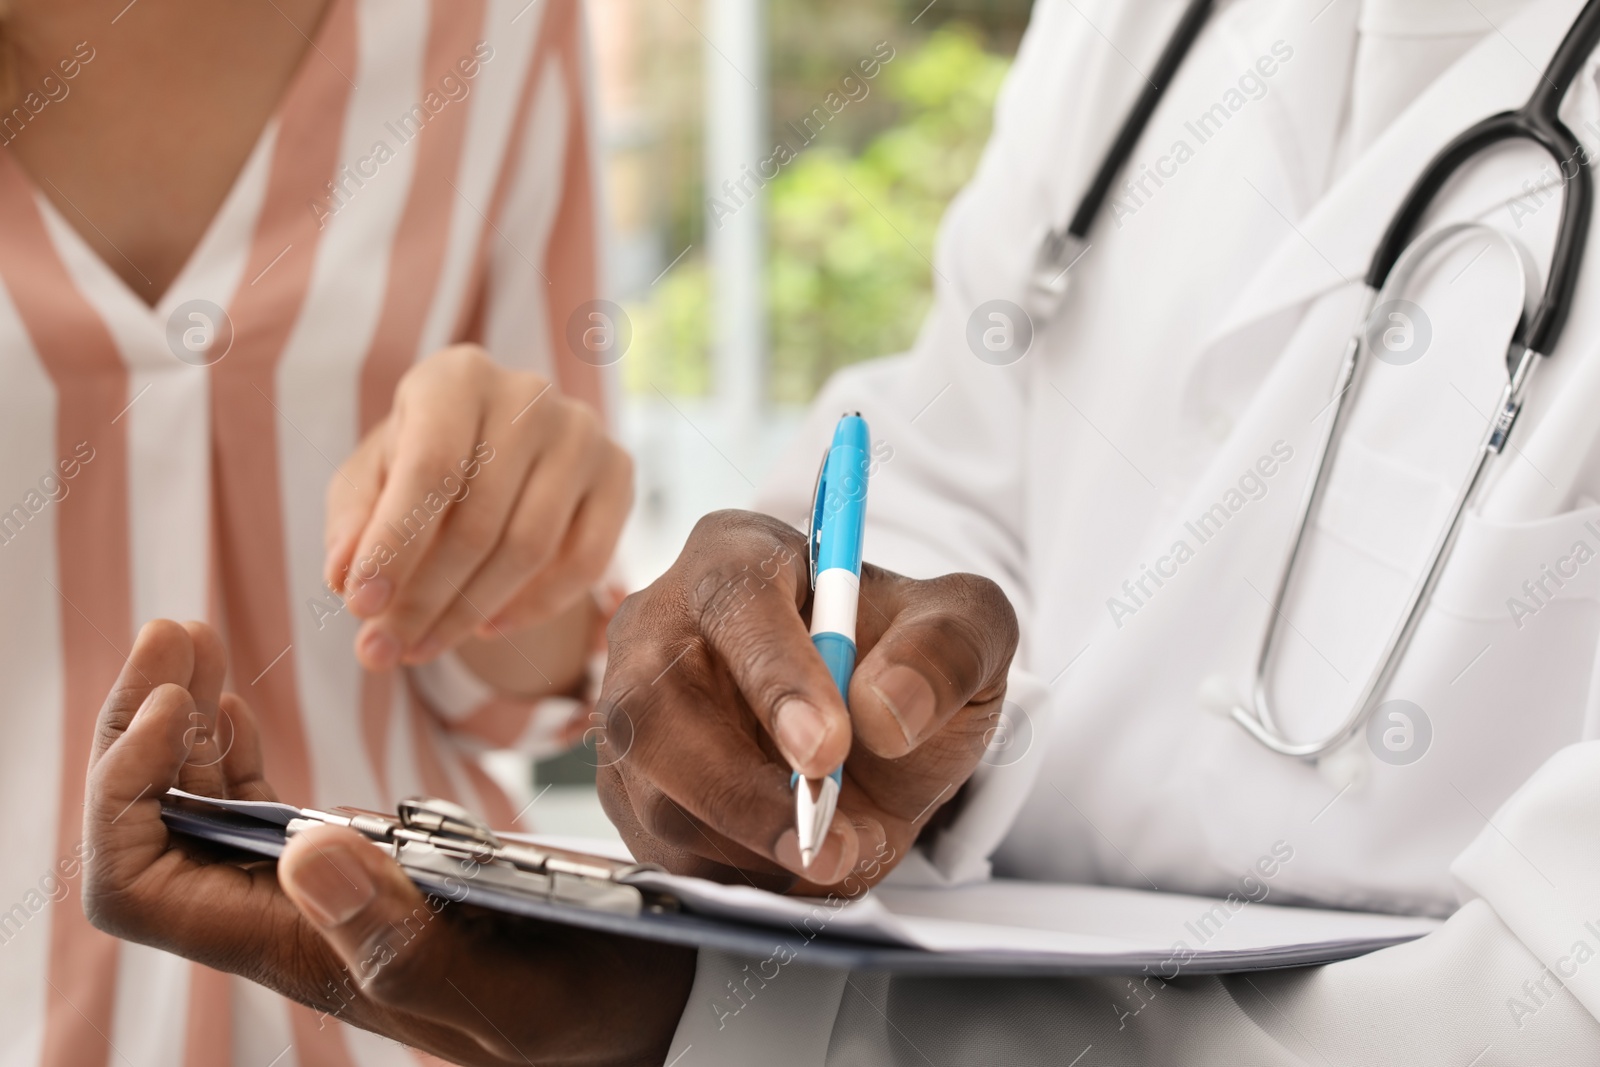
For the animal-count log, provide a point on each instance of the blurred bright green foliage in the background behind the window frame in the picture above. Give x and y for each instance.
(852, 230)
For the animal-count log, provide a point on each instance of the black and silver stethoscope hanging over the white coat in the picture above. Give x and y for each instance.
(1394, 258)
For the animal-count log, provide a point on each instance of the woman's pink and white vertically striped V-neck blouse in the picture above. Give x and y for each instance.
(426, 178)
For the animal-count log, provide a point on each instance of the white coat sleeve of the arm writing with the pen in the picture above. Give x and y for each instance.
(950, 430)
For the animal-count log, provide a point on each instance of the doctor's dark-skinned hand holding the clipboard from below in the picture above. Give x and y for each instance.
(335, 924)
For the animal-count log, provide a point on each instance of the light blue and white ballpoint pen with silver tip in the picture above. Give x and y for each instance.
(839, 518)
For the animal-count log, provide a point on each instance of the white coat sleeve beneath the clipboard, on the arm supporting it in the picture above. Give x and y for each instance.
(1510, 980)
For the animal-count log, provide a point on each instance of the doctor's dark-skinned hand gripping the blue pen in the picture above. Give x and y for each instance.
(714, 692)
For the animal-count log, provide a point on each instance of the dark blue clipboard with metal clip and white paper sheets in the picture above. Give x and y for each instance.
(450, 853)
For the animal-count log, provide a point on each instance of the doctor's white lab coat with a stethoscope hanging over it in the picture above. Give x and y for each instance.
(1186, 375)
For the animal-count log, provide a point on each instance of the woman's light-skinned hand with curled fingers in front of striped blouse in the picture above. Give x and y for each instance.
(486, 503)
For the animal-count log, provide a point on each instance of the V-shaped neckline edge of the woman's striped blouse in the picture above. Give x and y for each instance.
(206, 254)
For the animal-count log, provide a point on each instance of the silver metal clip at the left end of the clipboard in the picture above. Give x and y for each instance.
(446, 849)
